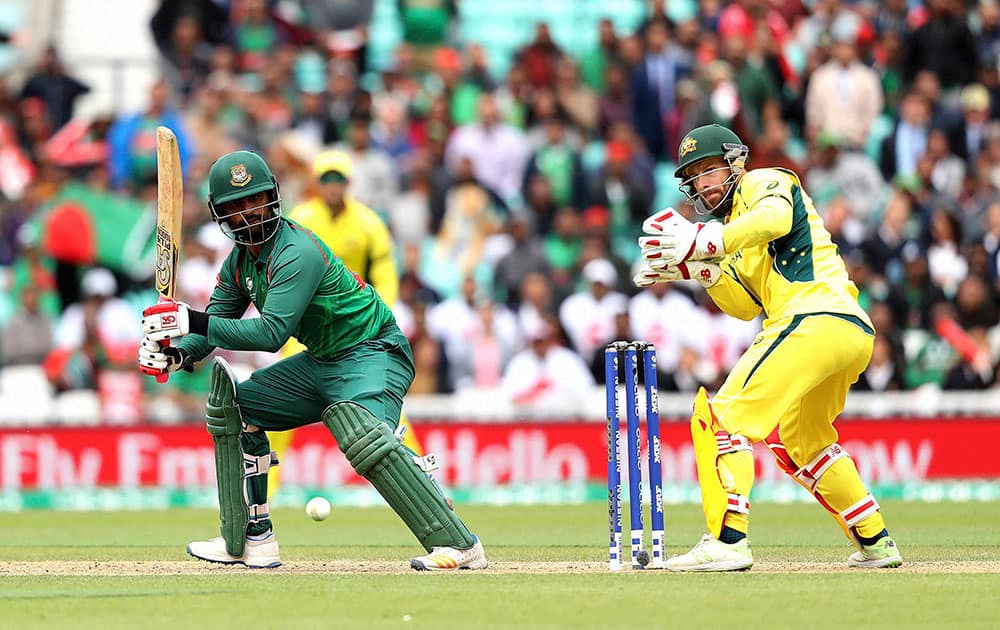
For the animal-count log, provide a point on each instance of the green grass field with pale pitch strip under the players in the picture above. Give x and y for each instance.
(129, 570)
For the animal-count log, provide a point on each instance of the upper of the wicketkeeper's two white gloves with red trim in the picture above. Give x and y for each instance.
(674, 239)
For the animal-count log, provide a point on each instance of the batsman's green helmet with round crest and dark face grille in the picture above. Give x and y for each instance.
(237, 175)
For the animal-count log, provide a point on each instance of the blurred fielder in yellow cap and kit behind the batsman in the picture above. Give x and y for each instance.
(361, 240)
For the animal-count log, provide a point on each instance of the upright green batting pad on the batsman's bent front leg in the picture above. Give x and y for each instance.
(224, 423)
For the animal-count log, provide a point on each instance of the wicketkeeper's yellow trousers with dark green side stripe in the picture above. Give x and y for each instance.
(795, 378)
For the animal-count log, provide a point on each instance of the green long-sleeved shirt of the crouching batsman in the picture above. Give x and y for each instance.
(301, 289)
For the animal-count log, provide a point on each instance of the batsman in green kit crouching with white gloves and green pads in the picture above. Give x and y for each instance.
(352, 377)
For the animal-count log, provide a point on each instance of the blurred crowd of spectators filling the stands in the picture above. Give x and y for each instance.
(514, 197)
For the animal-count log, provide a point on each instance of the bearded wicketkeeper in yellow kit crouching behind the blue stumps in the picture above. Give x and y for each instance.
(767, 251)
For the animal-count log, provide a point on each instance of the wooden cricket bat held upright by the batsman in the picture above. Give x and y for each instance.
(169, 203)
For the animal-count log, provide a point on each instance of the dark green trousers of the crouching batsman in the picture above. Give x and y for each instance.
(295, 391)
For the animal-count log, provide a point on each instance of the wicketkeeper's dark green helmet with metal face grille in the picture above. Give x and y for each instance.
(705, 142)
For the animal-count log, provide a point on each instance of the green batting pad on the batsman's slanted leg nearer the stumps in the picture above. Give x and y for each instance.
(379, 457)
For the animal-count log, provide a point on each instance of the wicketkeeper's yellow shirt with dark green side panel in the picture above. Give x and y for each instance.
(781, 259)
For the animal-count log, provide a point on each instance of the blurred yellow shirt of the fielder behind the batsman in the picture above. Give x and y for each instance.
(359, 238)
